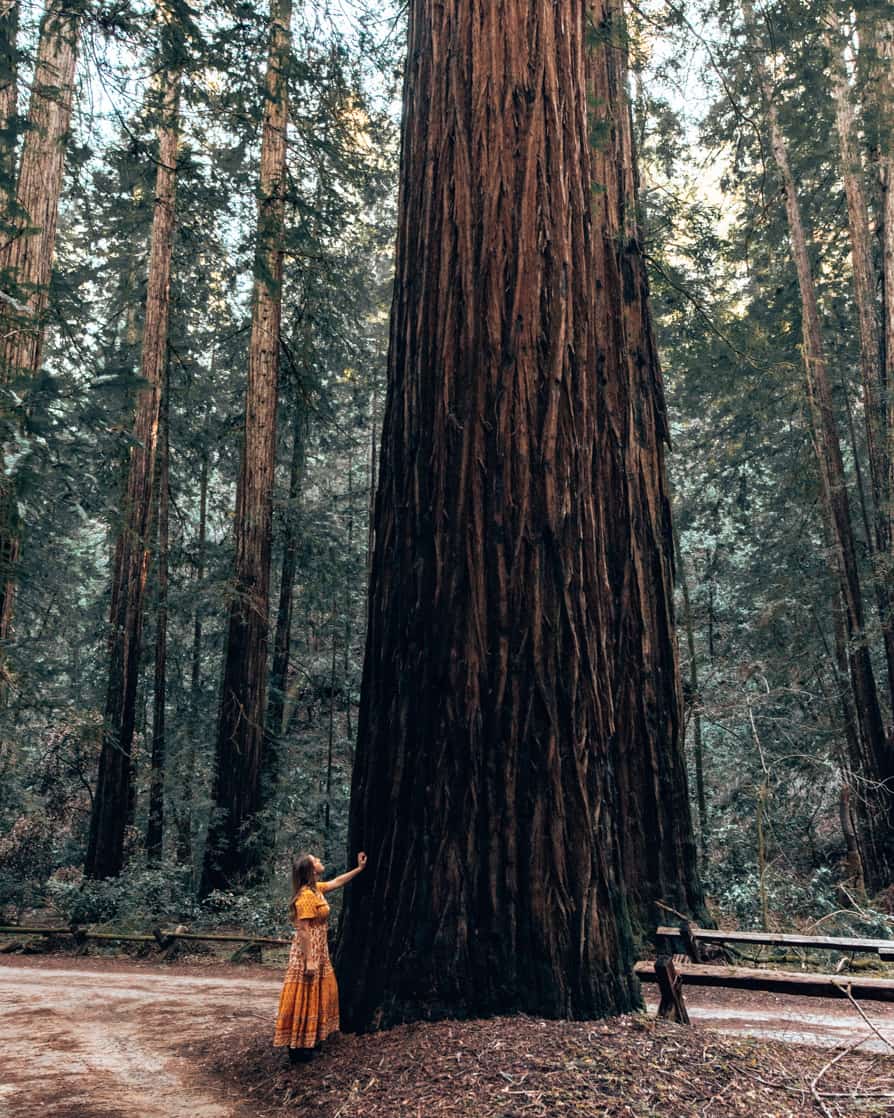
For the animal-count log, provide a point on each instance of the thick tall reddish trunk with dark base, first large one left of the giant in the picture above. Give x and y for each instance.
(232, 851)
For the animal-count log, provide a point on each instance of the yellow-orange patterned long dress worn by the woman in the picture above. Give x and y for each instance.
(309, 1006)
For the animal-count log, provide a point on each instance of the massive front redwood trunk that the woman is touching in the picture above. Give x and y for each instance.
(482, 788)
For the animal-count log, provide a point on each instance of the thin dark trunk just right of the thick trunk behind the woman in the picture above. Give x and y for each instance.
(271, 764)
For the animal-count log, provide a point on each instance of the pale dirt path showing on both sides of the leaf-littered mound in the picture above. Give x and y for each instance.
(101, 1039)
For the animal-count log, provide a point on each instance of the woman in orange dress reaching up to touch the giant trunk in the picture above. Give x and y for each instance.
(309, 1006)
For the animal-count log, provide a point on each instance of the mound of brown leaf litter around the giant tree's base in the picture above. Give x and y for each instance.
(525, 1068)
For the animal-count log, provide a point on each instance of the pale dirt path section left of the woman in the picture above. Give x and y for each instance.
(80, 1043)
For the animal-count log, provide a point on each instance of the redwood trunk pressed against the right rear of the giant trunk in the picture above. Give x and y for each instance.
(654, 821)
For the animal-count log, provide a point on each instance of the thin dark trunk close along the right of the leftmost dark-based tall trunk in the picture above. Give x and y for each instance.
(156, 825)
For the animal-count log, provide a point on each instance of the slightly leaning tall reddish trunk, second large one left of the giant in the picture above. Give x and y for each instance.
(106, 849)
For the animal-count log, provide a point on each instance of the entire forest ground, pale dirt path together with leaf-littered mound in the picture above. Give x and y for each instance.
(102, 1038)
